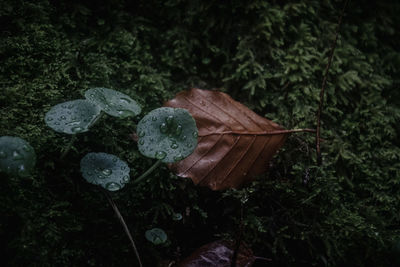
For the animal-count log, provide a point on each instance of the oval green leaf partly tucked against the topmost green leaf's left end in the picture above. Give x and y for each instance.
(72, 117)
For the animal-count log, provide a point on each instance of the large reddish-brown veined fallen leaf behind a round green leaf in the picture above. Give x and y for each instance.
(234, 143)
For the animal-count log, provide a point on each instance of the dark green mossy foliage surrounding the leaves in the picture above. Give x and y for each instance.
(269, 55)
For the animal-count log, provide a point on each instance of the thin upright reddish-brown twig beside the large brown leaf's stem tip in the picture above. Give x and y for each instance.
(324, 80)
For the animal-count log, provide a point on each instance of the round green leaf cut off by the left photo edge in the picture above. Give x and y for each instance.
(16, 156)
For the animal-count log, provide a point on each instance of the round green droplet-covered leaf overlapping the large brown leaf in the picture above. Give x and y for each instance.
(167, 134)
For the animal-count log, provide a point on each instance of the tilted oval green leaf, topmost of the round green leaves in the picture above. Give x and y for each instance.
(113, 103)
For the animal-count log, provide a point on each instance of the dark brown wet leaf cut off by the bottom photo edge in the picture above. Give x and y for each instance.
(219, 253)
